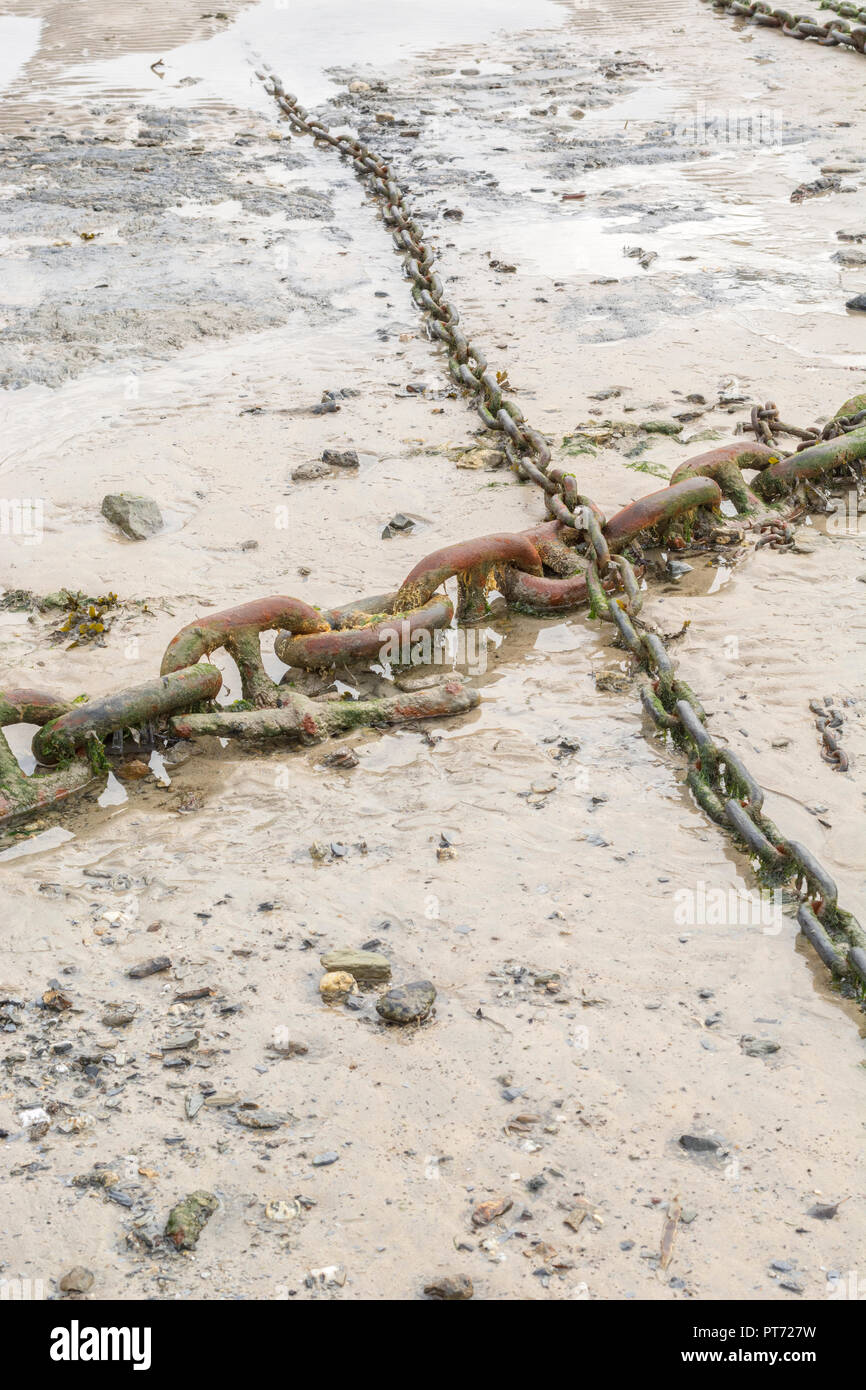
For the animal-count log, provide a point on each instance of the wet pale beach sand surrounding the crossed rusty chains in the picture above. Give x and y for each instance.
(243, 281)
